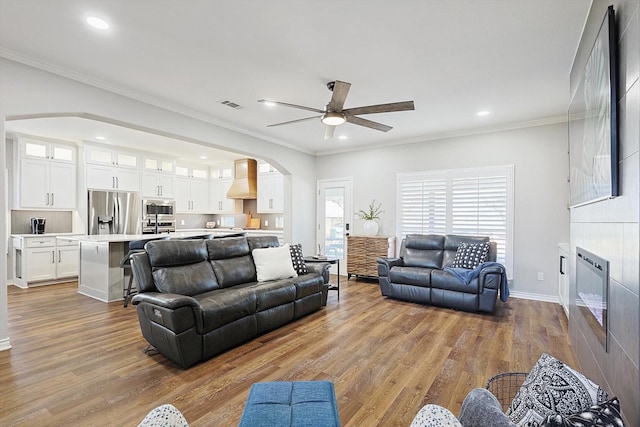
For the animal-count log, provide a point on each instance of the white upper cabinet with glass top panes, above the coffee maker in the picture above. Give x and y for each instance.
(47, 172)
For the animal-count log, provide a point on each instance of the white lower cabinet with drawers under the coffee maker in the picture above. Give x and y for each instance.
(43, 260)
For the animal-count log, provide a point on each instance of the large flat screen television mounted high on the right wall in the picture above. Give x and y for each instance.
(593, 122)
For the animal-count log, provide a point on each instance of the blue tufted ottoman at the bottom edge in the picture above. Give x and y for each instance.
(298, 403)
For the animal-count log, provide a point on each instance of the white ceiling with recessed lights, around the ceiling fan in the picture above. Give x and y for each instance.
(452, 58)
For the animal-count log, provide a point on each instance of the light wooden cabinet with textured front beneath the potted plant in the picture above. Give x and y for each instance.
(362, 252)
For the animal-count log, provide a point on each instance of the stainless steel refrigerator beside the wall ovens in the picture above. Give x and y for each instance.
(114, 212)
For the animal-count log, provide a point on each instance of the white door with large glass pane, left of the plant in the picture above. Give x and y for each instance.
(334, 218)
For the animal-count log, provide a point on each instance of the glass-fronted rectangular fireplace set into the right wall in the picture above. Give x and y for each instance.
(592, 292)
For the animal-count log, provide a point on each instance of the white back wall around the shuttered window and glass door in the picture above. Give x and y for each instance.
(539, 155)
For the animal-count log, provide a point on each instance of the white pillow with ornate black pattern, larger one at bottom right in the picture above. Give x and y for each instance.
(553, 388)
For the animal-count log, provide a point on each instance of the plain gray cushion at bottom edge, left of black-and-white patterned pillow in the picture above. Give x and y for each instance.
(481, 409)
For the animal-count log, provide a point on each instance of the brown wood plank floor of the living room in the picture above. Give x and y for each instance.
(78, 361)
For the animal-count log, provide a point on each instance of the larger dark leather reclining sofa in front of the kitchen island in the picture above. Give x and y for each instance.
(198, 298)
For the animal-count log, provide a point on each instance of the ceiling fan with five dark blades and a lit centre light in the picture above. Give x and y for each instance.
(334, 115)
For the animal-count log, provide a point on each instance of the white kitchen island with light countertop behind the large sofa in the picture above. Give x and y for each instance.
(100, 275)
